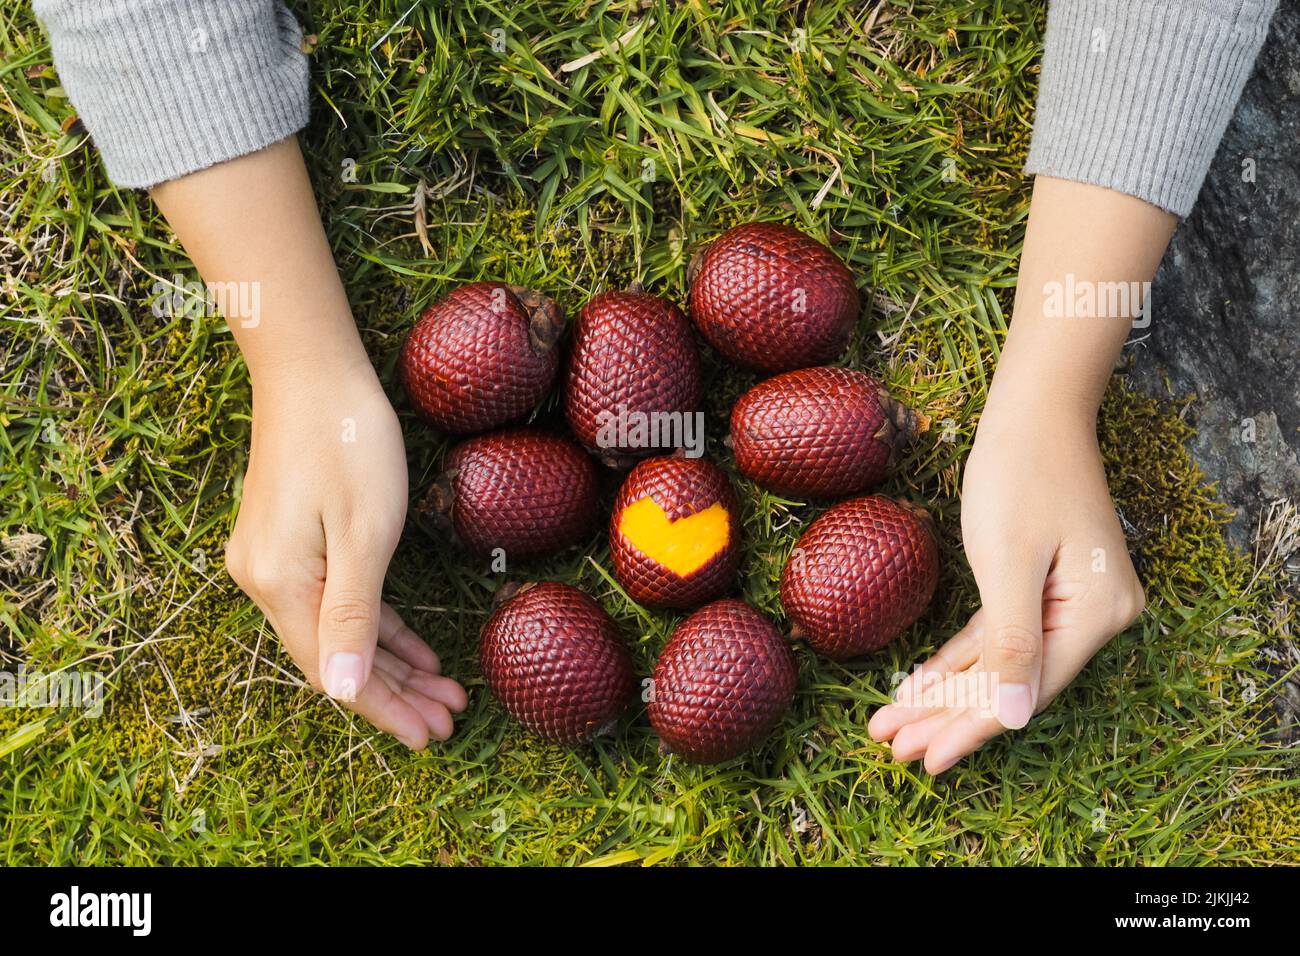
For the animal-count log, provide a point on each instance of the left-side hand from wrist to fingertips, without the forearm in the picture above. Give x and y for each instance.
(324, 503)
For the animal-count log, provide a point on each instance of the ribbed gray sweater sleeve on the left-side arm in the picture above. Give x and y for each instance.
(171, 86)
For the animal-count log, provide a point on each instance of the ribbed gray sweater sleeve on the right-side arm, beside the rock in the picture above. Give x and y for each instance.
(1136, 94)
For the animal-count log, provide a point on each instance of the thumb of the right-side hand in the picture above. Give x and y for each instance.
(1013, 638)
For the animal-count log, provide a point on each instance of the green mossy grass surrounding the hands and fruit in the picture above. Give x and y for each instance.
(895, 131)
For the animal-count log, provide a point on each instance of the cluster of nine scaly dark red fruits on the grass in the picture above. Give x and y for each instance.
(765, 297)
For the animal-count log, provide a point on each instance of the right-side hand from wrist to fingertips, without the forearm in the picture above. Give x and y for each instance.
(1054, 574)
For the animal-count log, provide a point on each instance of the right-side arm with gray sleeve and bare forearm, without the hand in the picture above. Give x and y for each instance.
(1133, 101)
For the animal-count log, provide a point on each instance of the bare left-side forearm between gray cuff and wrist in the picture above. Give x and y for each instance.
(253, 223)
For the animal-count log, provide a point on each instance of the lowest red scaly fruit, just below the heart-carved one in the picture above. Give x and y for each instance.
(723, 681)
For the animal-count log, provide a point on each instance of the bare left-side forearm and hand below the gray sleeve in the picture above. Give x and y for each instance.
(326, 494)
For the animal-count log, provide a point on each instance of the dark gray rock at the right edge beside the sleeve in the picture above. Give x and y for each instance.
(1225, 313)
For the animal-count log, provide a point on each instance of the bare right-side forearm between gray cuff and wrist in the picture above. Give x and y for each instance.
(1089, 256)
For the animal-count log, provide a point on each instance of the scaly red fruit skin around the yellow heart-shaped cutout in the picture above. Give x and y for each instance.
(682, 488)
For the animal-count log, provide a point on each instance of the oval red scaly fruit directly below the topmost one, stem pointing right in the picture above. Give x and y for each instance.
(820, 432)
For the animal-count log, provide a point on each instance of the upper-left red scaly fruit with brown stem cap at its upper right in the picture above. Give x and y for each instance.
(482, 358)
